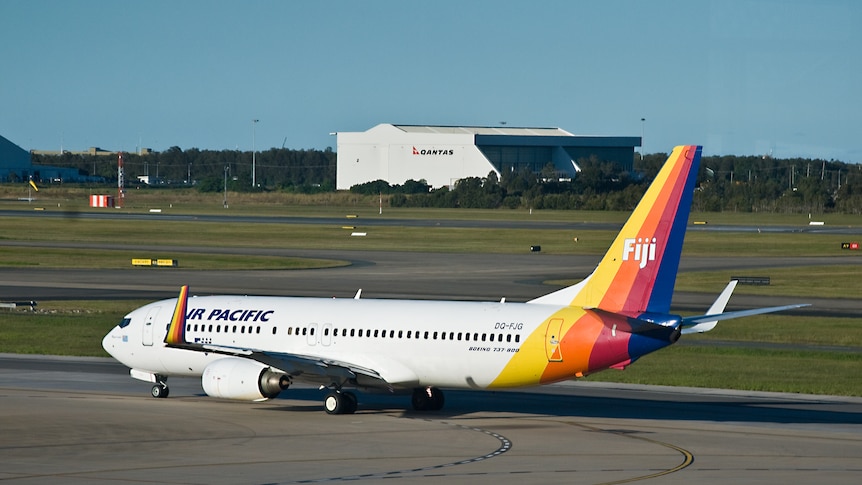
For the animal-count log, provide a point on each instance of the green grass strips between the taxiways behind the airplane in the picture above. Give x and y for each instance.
(76, 328)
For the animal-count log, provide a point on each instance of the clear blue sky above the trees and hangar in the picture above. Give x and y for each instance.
(741, 77)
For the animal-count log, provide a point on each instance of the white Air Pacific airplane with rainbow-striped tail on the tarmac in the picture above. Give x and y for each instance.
(254, 347)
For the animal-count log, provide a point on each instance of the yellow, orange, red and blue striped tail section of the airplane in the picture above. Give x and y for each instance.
(600, 328)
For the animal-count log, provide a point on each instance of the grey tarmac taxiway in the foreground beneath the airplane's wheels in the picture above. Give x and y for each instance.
(83, 420)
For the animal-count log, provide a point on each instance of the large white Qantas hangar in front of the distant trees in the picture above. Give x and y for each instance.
(441, 155)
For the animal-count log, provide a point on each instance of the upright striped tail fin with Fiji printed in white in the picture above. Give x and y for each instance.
(638, 272)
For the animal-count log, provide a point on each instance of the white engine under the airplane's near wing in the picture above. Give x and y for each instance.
(242, 379)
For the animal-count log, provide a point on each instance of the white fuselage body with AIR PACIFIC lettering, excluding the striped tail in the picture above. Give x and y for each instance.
(409, 343)
